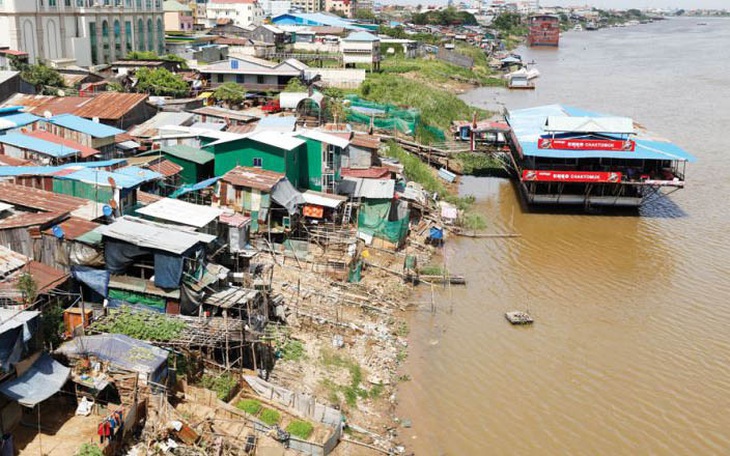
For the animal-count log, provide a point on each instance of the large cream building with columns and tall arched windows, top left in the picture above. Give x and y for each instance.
(81, 32)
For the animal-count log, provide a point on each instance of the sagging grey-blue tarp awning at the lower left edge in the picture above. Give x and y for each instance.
(42, 380)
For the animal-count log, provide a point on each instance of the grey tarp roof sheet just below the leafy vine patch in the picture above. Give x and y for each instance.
(122, 352)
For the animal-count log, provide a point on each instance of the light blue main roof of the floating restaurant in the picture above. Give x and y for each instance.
(527, 125)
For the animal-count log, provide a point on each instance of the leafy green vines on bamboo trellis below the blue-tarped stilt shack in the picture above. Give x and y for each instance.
(140, 325)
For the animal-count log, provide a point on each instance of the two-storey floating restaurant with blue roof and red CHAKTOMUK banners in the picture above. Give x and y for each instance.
(567, 156)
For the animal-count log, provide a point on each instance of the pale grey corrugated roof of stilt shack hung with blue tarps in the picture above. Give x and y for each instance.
(153, 235)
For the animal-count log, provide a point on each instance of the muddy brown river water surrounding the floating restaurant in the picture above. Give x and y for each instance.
(630, 351)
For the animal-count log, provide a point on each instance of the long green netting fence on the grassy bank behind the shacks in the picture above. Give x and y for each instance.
(388, 117)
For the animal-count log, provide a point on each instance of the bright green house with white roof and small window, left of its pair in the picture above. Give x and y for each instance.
(279, 152)
